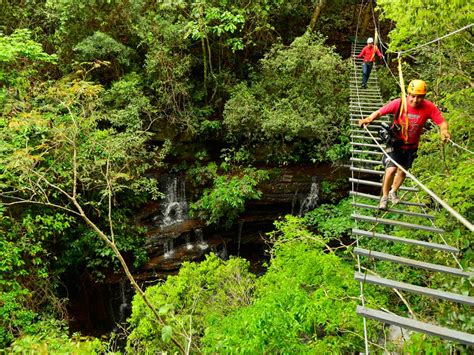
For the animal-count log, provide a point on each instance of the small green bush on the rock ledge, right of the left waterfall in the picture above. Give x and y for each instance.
(226, 199)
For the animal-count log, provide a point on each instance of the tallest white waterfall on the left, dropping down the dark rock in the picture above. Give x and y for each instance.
(174, 208)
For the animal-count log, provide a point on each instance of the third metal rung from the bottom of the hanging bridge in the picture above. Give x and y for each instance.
(411, 262)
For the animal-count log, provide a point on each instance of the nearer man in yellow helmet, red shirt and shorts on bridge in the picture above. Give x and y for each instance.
(419, 111)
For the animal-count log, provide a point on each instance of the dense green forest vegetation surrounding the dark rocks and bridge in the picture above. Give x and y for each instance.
(96, 94)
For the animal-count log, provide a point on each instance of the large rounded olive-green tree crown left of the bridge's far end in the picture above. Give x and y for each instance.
(298, 96)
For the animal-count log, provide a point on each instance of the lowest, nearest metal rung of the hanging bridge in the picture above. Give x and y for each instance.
(407, 323)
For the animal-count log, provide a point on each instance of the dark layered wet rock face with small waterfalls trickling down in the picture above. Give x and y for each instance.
(173, 237)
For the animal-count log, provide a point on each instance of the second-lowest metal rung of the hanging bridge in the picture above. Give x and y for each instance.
(425, 291)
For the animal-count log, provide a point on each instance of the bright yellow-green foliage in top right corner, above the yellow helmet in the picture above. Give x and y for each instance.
(443, 65)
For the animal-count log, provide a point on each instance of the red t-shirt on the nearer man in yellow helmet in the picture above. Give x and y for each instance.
(416, 118)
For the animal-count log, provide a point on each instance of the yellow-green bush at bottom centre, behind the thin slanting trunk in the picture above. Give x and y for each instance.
(210, 289)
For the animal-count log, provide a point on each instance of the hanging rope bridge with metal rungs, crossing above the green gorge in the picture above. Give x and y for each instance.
(380, 227)
